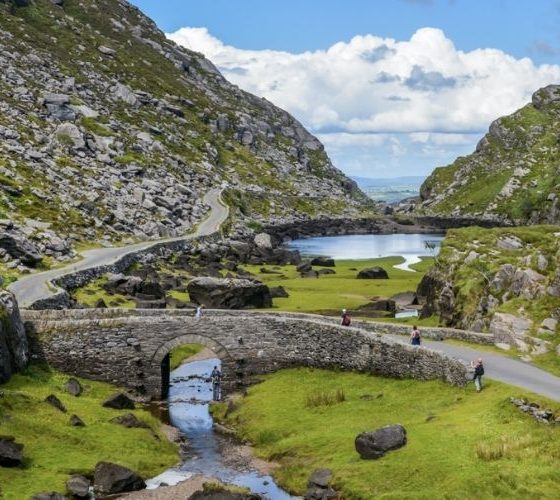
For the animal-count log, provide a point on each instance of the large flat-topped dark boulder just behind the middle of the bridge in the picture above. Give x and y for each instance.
(229, 293)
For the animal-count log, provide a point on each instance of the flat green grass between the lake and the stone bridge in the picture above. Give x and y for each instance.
(330, 293)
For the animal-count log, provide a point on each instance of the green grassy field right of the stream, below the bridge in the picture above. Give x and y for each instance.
(460, 444)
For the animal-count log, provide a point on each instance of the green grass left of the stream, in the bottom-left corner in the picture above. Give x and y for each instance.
(54, 450)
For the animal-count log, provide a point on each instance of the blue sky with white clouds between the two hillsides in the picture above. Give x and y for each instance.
(392, 87)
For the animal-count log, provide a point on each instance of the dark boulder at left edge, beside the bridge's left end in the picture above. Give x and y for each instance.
(14, 350)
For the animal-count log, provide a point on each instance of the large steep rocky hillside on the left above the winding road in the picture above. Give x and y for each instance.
(110, 132)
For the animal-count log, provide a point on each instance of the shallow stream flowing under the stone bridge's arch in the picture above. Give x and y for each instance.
(190, 393)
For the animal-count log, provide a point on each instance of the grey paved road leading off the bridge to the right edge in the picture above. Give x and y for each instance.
(502, 368)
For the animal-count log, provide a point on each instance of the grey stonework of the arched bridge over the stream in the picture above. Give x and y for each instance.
(130, 347)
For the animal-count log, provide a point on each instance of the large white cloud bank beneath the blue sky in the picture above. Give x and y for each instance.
(372, 85)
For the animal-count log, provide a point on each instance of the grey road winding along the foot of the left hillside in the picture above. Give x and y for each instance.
(36, 286)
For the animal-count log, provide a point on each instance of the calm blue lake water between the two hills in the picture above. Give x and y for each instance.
(368, 246)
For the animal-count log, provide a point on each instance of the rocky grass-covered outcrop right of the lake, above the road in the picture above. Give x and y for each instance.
(503, 280)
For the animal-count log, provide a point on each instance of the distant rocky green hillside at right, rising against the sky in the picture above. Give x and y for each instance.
(513, 177)
